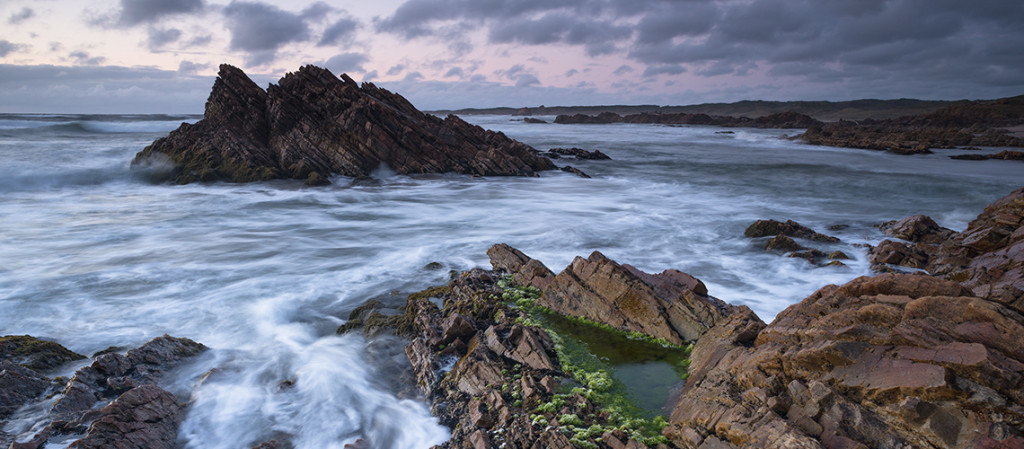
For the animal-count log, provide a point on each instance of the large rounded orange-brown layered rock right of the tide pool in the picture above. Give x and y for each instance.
(838, 370)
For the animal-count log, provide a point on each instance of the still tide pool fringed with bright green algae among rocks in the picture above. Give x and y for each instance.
(628, 376)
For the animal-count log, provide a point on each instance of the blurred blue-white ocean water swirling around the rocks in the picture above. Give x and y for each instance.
(94, 256)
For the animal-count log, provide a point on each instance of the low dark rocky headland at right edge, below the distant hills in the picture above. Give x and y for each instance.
(973, 124)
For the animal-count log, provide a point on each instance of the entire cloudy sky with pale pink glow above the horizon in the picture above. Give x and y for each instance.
(161, 56)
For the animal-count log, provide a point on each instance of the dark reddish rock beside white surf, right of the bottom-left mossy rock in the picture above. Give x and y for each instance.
(139, 415)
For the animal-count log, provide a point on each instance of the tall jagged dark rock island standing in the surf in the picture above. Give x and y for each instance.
(313, 125)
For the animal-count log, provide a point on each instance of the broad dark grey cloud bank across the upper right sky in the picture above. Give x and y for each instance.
(930, 43)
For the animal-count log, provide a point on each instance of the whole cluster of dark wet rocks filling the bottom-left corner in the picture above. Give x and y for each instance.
(114, 402)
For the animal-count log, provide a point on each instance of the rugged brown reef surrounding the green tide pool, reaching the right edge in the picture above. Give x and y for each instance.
(925, 360)
